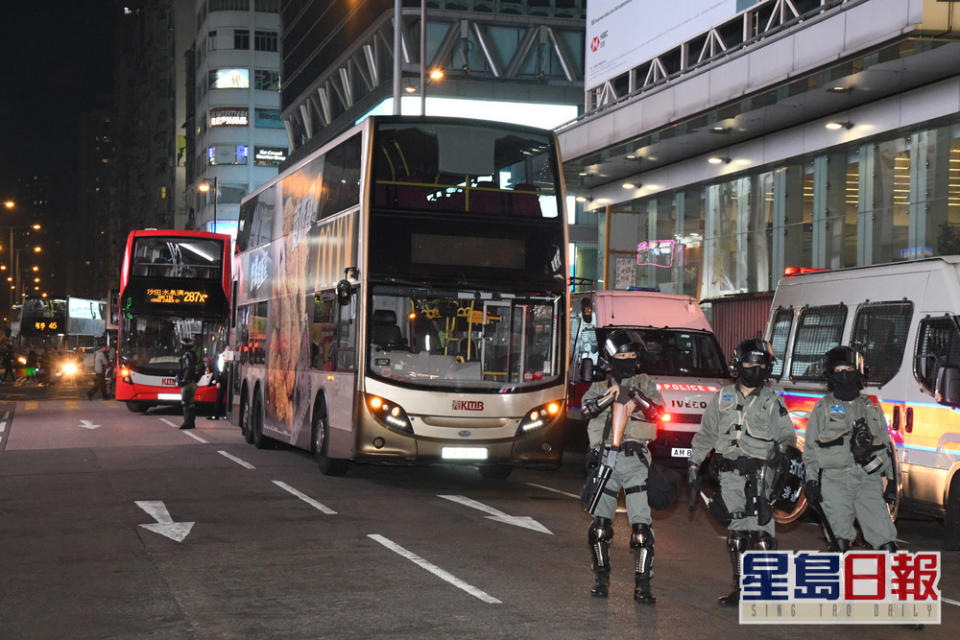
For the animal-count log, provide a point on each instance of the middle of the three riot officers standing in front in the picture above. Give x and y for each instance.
(743, 424)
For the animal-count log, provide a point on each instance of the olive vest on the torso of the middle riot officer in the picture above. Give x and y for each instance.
(744, 429)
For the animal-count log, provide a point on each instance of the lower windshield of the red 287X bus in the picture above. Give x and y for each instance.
(151, 344)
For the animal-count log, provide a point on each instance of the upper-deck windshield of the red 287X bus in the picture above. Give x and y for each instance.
(160, 257)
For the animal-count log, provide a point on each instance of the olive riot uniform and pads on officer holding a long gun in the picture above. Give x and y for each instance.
(630, 472)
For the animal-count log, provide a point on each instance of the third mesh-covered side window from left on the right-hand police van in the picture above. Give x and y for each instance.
(880, 334)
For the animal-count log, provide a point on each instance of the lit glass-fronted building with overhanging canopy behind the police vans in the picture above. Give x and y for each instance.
(789, 134)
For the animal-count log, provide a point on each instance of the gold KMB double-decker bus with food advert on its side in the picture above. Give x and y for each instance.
(402, 298)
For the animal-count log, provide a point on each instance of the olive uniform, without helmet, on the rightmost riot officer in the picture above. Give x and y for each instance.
(849, 492)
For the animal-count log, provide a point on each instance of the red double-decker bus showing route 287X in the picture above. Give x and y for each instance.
(173, 285)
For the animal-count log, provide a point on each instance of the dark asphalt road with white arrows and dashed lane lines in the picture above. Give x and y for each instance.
(277, 550)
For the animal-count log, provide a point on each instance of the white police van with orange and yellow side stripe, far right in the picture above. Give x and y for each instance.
(903, 317)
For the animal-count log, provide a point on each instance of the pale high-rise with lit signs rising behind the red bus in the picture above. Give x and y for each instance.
(238, 139)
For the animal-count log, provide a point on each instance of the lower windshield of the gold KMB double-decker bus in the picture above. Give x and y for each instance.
(464, 341)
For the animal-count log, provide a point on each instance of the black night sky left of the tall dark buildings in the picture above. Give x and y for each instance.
(56, 62)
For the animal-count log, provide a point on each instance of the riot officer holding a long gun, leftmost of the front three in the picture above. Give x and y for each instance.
(632, 459)
